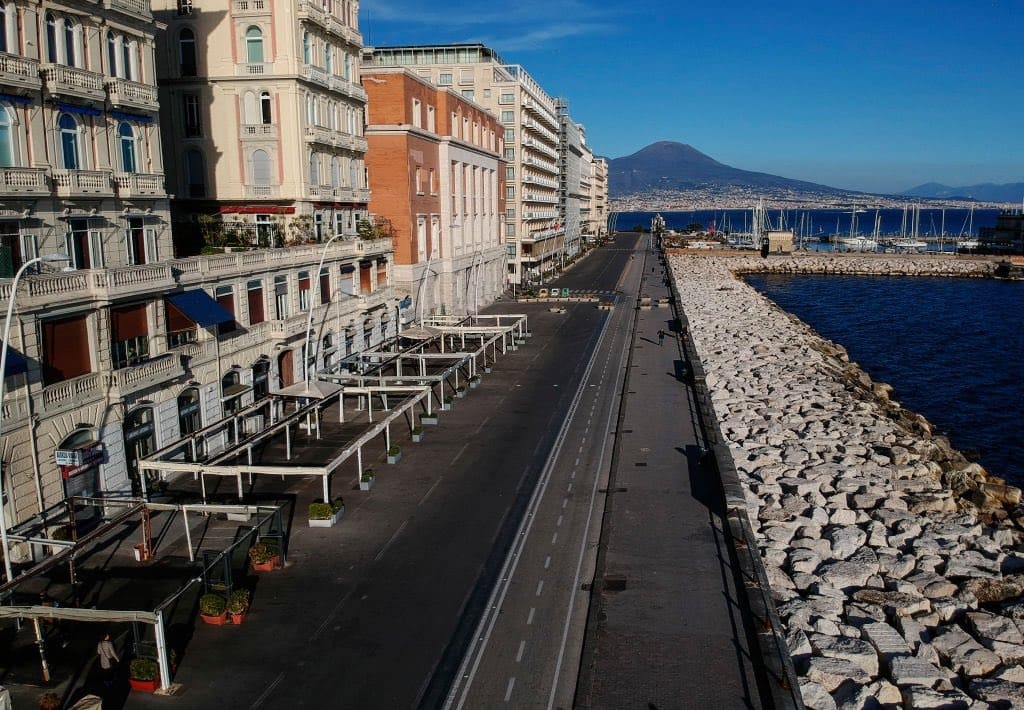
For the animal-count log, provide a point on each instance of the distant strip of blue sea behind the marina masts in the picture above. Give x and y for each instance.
(824, 224)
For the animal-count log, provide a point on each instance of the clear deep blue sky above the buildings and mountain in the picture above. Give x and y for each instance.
(868, 96)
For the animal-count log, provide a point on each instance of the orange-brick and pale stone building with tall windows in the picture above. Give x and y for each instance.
(439, 181)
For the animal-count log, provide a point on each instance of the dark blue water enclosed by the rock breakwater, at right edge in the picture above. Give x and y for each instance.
(953, 350)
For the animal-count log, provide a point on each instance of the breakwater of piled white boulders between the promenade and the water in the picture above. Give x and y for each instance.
(892, 560)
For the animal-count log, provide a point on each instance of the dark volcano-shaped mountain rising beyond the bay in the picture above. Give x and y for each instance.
(674, 166)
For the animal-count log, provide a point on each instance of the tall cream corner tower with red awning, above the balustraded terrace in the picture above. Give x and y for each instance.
(264, 116)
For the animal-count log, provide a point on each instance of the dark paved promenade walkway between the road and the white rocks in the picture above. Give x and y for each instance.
(666, 627)
